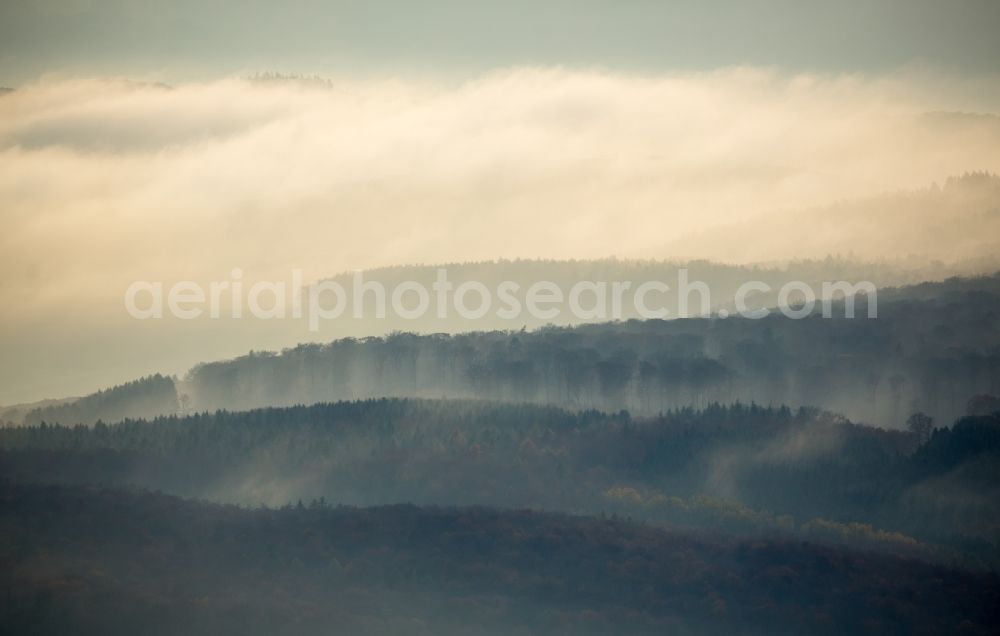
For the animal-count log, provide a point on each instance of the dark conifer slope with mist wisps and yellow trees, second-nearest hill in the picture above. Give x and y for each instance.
(742, 468)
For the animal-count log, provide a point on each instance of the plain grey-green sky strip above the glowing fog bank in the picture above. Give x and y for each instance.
(185, 39)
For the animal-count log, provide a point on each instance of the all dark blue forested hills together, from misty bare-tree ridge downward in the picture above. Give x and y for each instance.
(706, 505)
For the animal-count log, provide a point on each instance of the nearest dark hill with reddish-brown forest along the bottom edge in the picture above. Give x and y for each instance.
(93, 561)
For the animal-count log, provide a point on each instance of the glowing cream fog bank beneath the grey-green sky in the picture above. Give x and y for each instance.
(105, 181)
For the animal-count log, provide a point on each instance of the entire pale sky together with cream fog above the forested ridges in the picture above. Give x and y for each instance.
(135, 147)
